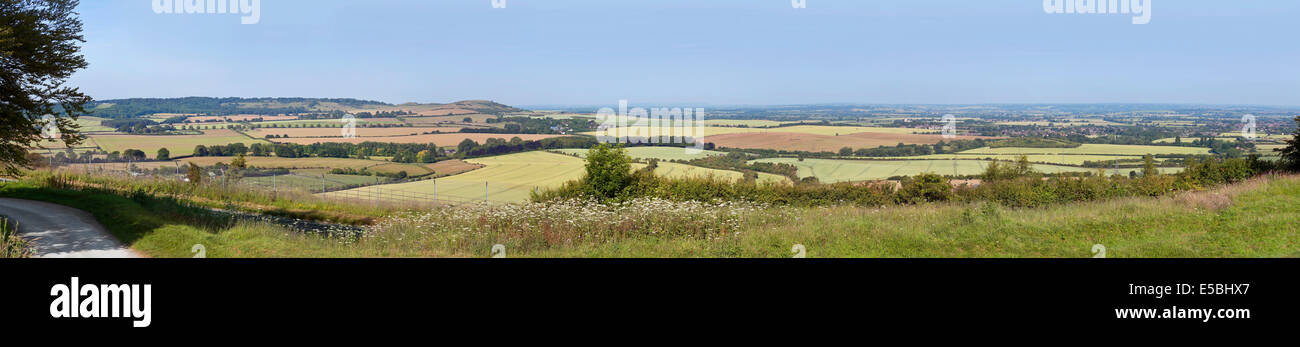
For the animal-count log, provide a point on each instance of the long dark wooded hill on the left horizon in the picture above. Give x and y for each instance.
(132, 109)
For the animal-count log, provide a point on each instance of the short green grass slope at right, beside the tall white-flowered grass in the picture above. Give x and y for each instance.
(1254, 220)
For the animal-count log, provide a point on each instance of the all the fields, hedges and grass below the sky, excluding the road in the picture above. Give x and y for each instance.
(354, 179)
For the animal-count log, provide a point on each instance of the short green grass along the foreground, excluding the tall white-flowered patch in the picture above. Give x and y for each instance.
(1254, 220)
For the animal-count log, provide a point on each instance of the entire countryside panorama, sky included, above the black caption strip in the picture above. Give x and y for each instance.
(648, 129)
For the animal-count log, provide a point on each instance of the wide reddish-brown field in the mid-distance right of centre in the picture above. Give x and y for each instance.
(824, 144)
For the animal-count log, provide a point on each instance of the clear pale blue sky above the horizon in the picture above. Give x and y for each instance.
(705, 53)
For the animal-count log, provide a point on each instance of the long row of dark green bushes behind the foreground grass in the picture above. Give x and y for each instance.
(609, 179)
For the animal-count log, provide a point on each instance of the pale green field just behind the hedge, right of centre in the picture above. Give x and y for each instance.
(833, 171)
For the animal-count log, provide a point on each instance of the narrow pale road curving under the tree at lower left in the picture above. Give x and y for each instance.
(63, 232)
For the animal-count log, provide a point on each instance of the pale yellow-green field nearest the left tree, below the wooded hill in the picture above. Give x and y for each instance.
(177, 145)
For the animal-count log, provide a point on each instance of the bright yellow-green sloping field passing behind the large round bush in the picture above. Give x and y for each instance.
(512, 179)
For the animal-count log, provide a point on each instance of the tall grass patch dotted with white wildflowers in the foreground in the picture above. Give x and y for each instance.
(471, 231)
